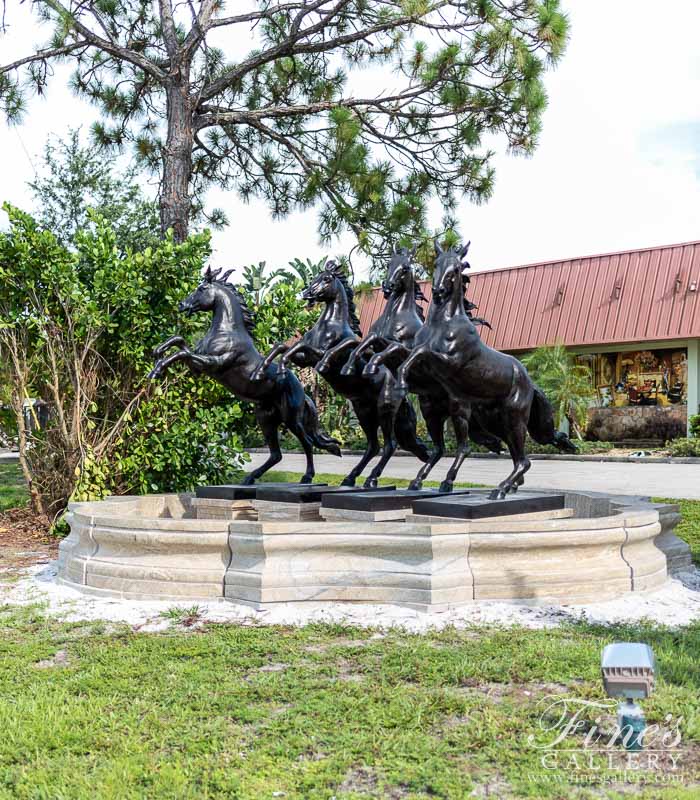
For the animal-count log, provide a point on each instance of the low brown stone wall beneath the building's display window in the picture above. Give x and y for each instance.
(613, 424)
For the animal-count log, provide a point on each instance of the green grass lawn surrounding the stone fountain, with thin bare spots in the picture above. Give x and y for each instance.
(91, 710)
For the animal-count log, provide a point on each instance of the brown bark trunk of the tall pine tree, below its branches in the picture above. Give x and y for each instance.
(177, 163)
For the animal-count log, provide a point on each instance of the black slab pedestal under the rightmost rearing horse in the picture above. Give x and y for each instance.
(476, 504)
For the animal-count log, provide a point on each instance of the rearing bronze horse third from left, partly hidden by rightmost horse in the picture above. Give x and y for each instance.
(389, 342)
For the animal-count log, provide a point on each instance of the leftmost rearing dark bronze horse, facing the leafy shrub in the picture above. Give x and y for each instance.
(228, 354)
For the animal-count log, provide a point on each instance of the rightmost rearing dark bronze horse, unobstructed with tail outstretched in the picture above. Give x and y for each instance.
(449, 347)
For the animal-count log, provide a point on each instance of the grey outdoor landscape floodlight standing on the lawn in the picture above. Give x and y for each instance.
(628, 671)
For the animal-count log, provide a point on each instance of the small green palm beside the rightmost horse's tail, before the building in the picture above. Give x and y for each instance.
(567, 384)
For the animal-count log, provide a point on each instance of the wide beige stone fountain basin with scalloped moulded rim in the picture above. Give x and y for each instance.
(178, 548)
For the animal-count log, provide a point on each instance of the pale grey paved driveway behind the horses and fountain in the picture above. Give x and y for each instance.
(659, 480)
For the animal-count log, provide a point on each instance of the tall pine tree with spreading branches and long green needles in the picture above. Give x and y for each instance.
(282, 121)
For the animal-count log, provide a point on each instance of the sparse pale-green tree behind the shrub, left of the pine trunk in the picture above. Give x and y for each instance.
(76, 180)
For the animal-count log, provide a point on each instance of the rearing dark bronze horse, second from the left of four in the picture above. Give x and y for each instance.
(371, 396)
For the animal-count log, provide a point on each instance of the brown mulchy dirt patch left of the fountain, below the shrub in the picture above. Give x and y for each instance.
(24, 542)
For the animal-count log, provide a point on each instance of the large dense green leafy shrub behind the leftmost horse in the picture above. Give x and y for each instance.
(77, 327)
